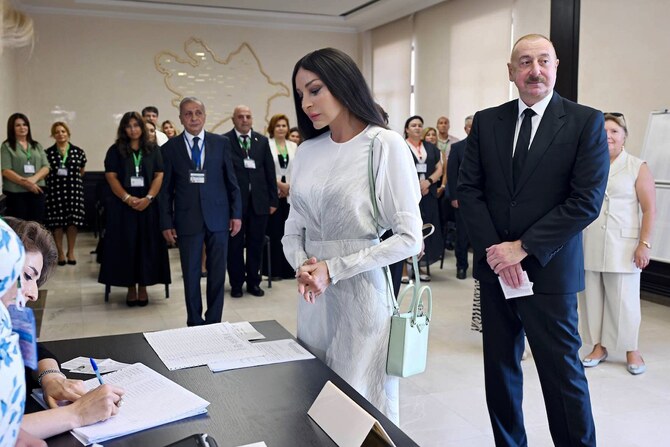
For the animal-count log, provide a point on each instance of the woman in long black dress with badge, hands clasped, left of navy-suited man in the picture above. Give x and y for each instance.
(135, 253)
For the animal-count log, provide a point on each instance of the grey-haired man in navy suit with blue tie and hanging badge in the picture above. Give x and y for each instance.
(200, 202)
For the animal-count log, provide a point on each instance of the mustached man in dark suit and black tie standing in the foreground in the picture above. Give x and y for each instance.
(529, 184)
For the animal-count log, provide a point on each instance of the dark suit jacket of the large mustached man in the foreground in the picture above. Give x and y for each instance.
(559, 193)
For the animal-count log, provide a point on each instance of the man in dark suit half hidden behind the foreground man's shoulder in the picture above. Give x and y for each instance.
(453, 165)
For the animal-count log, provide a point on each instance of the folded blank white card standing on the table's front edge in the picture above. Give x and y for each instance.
(344, 420)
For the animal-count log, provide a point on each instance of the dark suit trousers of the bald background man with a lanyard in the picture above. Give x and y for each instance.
(252, 236)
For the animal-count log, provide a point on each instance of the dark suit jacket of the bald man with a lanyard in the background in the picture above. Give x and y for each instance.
(263, 180)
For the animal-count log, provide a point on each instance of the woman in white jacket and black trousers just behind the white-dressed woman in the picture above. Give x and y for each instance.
(283, 151)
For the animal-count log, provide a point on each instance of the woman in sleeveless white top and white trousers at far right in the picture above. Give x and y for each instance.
(617, 247)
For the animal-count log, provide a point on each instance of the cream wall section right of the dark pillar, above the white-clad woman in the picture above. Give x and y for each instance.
(623, 61)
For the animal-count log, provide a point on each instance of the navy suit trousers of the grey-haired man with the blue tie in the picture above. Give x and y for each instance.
(190, 254)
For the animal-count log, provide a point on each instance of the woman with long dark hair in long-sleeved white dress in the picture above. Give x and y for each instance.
(331, 235)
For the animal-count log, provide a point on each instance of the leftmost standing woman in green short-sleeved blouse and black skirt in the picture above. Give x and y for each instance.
(24, 167)
